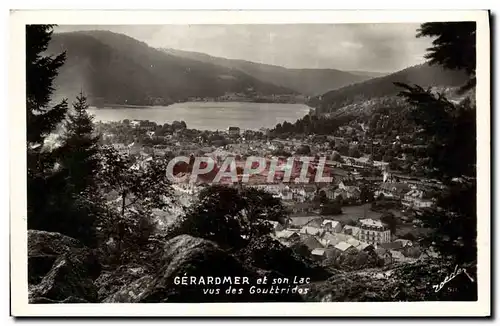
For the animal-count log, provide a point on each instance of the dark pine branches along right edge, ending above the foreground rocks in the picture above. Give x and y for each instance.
(450, 133)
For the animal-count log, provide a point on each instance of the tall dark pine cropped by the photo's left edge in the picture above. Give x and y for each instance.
(44, 181)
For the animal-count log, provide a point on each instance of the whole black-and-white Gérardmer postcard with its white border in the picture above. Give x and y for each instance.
(250, 163)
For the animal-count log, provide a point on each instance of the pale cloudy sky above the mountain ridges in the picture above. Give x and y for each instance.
(369, 47)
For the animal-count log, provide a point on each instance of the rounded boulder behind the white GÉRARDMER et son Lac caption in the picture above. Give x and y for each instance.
(193, 258)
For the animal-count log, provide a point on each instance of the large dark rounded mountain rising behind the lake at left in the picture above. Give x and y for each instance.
(114, 68)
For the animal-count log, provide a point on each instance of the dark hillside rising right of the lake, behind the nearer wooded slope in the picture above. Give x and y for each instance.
(423, 75)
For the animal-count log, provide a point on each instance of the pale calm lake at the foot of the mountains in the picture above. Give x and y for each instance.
(210, 116)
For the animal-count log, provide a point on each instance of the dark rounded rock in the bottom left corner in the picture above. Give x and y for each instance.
(60, 269)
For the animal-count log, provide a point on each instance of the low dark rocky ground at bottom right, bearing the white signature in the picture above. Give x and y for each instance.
(406, 282)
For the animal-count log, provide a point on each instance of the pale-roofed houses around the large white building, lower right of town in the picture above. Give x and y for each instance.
(324, 237)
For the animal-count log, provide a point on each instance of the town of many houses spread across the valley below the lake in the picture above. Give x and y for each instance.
(367, 208)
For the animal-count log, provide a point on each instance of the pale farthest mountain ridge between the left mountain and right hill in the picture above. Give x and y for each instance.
(306, 81)
